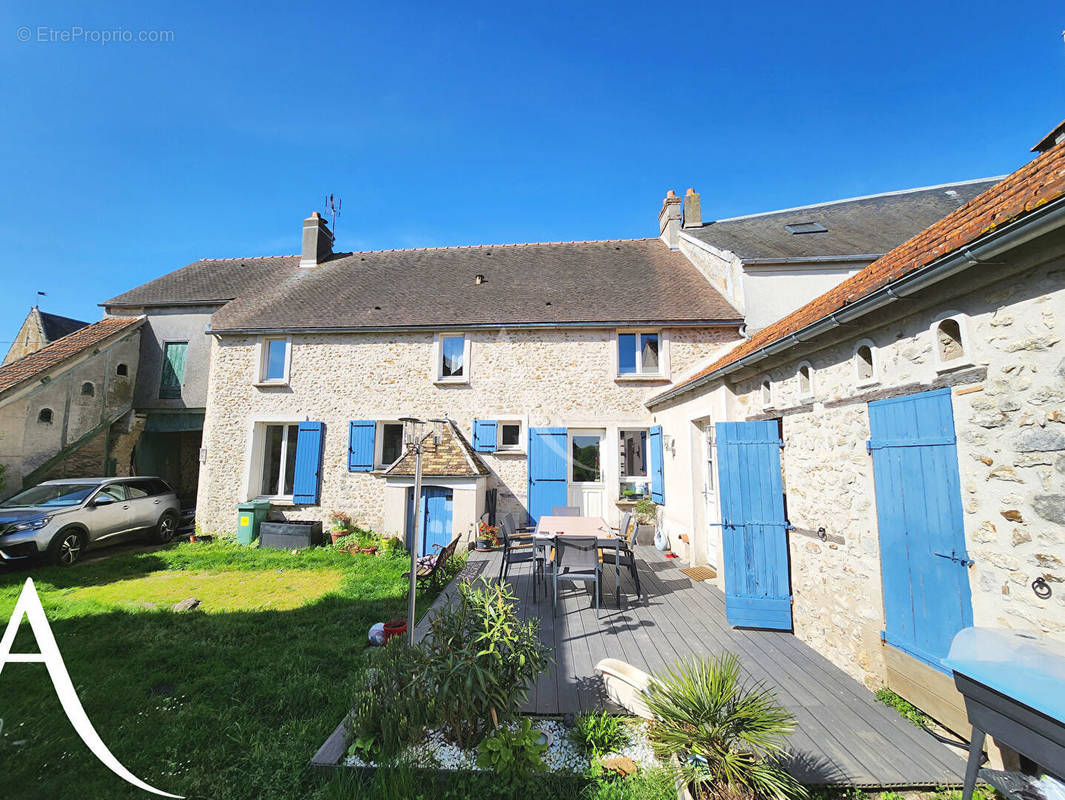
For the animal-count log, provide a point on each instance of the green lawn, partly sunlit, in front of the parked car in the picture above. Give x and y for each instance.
(227, 701)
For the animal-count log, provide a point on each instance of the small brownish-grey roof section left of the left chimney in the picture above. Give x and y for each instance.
(208, 282)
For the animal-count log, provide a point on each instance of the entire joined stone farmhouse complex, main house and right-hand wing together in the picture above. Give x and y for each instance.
(854, 412)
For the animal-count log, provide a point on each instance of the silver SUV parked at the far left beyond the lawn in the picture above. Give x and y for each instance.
(62, 518)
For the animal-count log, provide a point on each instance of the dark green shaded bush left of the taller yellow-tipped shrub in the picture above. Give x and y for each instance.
(395, 704)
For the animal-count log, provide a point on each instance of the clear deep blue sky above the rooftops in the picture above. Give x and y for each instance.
(444, 126)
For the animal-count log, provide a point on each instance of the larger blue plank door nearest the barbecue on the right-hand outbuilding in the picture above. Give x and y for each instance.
(923, 558)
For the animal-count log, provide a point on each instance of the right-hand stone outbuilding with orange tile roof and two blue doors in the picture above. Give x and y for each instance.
(891, 458)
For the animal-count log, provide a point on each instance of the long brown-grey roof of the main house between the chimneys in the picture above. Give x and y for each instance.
(568, 283)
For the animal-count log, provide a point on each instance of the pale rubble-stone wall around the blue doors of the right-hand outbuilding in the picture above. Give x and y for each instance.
(1009, 405)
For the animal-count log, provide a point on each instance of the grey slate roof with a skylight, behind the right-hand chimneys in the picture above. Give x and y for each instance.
(862, 226)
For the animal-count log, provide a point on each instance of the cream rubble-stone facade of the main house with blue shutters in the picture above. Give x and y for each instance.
(547, 378)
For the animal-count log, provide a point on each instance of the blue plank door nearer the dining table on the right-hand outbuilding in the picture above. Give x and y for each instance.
(755, 533)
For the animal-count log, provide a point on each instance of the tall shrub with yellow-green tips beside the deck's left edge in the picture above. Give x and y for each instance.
(483, 660)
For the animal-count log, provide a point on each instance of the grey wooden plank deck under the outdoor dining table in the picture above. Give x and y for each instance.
(844, 736)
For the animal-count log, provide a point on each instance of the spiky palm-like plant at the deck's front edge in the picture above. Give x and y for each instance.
(729, 733)
